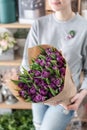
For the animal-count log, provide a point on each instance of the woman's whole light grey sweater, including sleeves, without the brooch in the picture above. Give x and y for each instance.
(49, 30)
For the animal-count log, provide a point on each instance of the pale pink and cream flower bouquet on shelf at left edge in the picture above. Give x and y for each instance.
(6, 42)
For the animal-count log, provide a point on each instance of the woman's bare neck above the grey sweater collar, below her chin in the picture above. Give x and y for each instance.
(64, 15)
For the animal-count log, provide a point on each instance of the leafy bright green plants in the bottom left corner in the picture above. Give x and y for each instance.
(18, 120)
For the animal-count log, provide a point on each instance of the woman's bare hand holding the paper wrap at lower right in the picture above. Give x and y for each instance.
(77, 100)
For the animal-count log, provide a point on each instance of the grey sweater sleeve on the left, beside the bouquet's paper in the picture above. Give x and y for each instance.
(32, 40)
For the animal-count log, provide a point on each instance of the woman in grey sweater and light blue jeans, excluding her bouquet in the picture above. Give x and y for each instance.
(66, 31)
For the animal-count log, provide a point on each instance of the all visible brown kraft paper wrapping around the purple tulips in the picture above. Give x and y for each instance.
(64, 96)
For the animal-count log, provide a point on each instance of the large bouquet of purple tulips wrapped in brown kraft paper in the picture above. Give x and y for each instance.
(48, 79)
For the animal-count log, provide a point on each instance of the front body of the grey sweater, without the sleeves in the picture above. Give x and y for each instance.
(54, 32)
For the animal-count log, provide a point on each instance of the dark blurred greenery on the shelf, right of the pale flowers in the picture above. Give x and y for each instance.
(21, 33)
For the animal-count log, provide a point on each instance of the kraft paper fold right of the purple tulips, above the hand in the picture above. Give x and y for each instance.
(67, 93)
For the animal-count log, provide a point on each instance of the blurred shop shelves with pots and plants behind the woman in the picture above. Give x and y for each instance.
(16, 18)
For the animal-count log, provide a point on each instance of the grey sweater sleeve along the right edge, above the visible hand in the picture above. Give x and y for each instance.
(84, 64)
